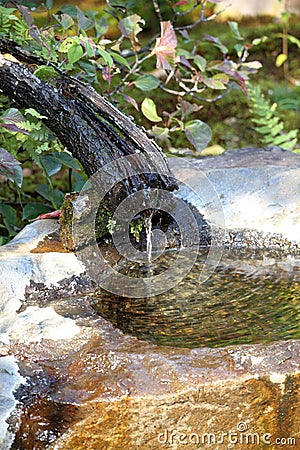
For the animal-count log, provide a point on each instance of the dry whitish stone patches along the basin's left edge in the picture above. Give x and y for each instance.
(18, 267)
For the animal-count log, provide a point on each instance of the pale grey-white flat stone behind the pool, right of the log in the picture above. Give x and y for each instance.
(257, 189)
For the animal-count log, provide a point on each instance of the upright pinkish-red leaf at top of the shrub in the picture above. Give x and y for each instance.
(165, 46)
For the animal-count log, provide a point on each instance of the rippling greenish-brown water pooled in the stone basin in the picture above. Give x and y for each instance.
(249, 299)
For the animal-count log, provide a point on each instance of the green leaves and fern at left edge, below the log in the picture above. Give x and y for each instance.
(24, 137)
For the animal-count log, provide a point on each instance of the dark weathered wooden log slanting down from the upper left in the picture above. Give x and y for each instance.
(90, 127)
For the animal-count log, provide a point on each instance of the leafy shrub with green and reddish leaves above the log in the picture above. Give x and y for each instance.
(124, 66)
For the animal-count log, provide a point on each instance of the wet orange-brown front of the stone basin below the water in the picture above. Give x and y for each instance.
(130, 394)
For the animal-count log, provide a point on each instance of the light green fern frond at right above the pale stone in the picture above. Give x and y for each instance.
(267, 122)
